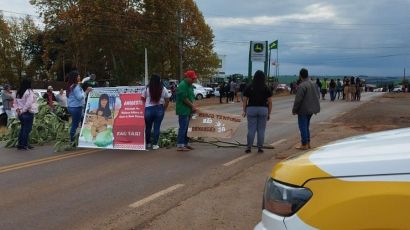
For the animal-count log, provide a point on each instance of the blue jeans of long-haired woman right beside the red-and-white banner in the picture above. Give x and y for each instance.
(153, 116)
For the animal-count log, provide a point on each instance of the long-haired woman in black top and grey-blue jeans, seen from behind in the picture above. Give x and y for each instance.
(257, 106)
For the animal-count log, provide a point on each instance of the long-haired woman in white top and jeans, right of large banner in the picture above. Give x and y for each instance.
(156, 100)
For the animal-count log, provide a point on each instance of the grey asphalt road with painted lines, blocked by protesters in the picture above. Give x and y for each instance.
(102, 189)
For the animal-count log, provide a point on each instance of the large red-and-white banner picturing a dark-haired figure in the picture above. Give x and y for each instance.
(114, 119)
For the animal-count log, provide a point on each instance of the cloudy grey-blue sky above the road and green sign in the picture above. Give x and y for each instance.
(343, 37)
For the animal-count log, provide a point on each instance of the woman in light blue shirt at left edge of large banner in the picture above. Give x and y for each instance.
(75, 101)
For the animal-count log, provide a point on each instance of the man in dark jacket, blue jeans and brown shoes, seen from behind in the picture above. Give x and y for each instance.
(306, 104)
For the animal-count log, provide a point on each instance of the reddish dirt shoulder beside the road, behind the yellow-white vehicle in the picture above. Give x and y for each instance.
(236, 203)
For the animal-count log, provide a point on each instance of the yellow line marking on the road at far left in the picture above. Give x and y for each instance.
(45, 160)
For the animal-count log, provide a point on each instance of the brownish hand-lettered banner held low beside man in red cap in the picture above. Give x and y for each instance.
(213, 124)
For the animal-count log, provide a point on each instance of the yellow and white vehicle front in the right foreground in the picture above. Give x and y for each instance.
(361, 182)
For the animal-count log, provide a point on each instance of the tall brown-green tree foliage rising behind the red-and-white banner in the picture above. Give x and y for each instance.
(108, 37)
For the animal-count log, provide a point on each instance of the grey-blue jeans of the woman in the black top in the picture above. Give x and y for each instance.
(257, 118)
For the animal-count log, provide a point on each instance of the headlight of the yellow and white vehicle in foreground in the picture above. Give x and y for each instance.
(284, 200)
